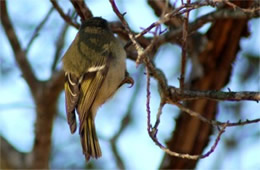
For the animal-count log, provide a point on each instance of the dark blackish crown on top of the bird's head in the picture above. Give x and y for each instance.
(95, 22)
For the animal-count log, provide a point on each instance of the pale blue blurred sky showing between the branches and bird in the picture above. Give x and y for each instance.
(239, 146)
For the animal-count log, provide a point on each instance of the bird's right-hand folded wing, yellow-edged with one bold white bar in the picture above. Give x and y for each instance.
(89, 86)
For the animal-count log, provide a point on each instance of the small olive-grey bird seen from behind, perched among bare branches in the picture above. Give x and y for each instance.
(94, 68)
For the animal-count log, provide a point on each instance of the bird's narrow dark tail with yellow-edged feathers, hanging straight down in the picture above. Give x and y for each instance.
(89, 140)
